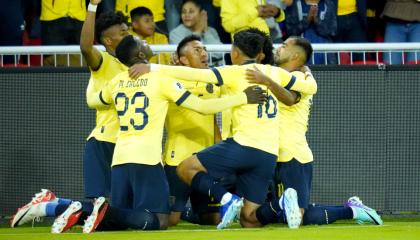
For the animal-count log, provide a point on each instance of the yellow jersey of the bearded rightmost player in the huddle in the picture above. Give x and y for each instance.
(293, 127)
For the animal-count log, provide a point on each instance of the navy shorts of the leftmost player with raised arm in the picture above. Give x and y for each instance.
(97, 162)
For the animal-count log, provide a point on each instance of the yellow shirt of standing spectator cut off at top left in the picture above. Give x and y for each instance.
(55, 9)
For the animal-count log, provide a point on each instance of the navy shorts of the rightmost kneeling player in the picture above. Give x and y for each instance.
(294, 174)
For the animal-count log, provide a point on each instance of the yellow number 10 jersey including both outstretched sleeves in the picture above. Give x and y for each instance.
(255, 126)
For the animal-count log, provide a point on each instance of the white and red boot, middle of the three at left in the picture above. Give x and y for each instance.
(68, 218)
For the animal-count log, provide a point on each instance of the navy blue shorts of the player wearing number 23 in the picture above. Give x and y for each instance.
(140, 186)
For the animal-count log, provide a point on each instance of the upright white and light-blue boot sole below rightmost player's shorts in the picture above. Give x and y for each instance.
(289, 203)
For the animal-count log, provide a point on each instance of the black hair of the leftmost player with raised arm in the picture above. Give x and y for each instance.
(107, 20)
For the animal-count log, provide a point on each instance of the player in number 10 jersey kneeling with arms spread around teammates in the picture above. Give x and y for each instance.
(252, 152)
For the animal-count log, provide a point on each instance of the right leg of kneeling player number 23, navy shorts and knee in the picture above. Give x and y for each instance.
(151, 190)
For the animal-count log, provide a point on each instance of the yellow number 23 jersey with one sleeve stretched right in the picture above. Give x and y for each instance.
(142, 104)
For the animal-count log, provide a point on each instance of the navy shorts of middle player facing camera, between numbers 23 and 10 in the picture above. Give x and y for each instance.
(179, 191)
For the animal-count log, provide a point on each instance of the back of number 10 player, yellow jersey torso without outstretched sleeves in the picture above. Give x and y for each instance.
(252, 125)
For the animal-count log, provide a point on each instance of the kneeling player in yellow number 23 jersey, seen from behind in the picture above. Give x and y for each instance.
(138, 179)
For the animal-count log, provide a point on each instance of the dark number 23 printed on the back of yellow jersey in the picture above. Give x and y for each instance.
(138, 110)
